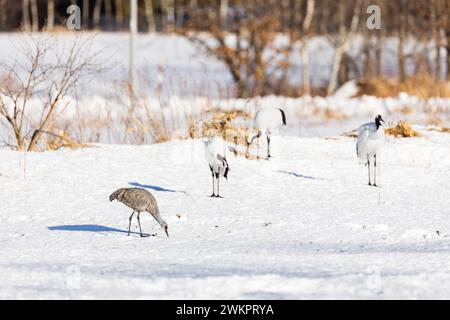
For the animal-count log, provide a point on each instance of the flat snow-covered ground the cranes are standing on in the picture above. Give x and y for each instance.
(303, 225)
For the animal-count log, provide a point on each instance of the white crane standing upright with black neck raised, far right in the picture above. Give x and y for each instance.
(370, 139)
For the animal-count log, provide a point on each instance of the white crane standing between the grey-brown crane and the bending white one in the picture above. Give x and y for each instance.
(216, 158)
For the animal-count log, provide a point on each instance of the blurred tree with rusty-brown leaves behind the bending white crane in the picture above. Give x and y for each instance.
(256, 63)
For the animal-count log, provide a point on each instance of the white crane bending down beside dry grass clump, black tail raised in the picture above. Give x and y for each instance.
(267, 119)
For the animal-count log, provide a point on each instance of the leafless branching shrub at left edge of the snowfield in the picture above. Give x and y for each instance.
(42, 81)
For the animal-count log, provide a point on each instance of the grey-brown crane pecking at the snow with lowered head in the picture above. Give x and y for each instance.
(139, 200)
